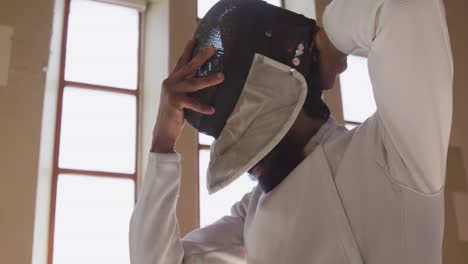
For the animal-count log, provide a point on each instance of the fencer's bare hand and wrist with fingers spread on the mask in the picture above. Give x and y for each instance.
(174, 97)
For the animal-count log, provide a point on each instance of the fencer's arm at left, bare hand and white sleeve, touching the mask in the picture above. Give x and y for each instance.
(154, 232)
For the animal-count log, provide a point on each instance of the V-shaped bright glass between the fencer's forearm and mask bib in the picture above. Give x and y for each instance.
(214, 207)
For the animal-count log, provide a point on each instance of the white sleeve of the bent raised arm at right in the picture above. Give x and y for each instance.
(411, 71)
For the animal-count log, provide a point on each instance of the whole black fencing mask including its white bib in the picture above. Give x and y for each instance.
(271, 70)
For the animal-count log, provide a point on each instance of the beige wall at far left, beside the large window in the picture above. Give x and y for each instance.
(21, 105)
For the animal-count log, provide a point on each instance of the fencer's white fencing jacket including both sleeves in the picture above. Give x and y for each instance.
(370, 195)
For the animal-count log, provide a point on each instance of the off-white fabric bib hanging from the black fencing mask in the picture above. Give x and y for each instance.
(272, 97)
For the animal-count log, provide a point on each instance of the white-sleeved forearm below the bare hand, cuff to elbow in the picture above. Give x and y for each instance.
(154, 231)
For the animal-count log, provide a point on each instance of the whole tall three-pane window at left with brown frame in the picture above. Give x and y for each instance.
(95, 173)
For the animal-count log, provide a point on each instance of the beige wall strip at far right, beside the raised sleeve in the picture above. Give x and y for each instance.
(456, 195)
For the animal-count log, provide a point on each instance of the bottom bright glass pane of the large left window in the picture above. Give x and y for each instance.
(91, 220)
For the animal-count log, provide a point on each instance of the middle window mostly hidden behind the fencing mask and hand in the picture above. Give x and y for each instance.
(214, 207)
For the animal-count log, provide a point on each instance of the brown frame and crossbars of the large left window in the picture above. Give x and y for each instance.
(56, 170)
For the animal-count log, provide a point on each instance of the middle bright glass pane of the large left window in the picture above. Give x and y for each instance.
(98, 131)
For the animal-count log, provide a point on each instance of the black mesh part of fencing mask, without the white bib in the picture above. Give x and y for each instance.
(239, 29)
